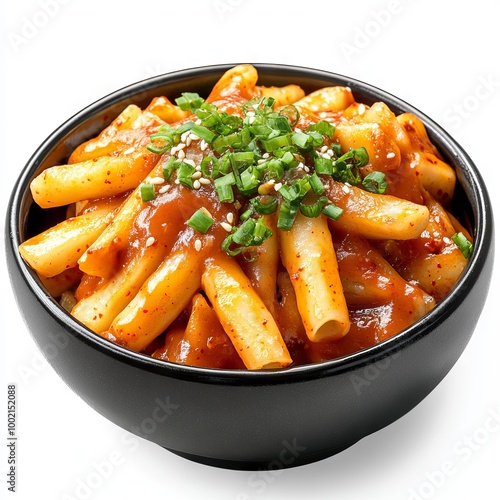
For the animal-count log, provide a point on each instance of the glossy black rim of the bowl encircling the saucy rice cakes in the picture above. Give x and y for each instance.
(467, 173)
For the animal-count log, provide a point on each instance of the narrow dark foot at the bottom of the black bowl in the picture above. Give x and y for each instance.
(274, 464)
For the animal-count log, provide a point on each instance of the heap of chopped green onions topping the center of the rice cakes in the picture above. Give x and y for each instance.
(264, 162)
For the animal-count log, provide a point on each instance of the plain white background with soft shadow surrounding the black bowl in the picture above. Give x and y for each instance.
(60, 55)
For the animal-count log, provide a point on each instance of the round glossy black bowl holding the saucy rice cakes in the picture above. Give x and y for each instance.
(250, 419)
